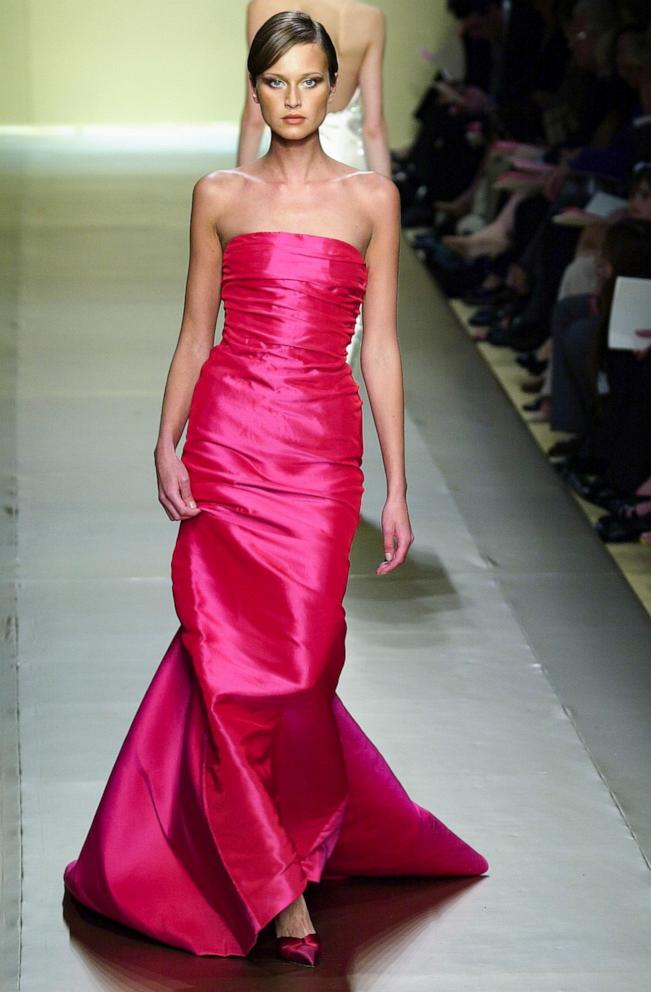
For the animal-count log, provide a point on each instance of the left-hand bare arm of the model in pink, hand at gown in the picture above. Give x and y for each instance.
(196, 338)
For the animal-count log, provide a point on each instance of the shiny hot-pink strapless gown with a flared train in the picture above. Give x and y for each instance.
(243, 776)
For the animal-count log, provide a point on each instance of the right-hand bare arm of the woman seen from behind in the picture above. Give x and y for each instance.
(376, 136)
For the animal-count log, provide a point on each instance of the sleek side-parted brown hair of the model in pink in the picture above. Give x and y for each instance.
(280, 33)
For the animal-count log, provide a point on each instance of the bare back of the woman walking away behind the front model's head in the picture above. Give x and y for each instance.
(352, 26)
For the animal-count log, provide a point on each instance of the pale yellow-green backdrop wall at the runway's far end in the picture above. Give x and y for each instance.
(167, 61)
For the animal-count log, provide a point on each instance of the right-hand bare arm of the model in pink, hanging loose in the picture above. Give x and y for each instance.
(382, 368)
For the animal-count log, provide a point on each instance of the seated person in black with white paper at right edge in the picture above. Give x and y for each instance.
(614, 425)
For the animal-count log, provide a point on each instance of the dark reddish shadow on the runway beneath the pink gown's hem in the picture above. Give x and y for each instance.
(360, 921)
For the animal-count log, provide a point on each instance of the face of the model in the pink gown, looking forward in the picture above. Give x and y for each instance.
(294, 92)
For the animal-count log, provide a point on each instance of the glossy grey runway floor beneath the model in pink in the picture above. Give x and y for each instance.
(504, 672)
